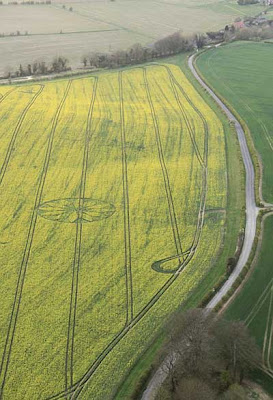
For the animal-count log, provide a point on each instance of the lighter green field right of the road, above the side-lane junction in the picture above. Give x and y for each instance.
(242, 73)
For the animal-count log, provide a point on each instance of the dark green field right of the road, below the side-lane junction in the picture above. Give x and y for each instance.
(254, 304)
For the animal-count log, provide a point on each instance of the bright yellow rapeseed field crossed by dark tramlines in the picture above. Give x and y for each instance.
(112, 210)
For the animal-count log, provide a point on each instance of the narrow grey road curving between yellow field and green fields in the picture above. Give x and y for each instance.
(250, 227)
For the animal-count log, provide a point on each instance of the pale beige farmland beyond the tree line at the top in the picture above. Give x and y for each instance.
(111, 25)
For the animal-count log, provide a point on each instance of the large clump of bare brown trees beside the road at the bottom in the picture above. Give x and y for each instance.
(206, 351)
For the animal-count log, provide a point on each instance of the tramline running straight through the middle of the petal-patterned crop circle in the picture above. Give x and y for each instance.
(77, 251)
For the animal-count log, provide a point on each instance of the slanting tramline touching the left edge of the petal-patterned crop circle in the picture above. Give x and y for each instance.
(23, 268)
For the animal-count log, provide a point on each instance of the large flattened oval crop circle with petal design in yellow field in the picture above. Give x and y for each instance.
(75, 210)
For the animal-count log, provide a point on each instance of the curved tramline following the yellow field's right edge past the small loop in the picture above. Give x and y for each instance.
(75, 390)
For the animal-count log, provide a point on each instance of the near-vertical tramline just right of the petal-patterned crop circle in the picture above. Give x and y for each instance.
(126, 209)
